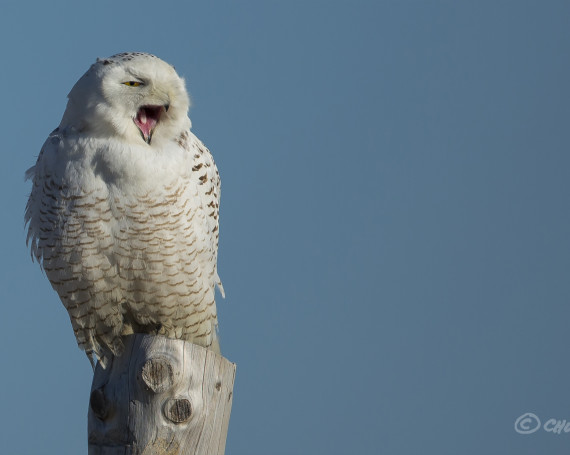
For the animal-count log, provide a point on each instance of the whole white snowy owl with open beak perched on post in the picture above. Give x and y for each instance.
(123, 212)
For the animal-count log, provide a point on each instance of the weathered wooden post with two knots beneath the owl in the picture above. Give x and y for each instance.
(161, 397)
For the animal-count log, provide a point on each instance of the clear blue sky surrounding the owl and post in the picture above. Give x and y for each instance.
(395, 217)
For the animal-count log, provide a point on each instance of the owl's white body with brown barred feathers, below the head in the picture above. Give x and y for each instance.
(128, 237)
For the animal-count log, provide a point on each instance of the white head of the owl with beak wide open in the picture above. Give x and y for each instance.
(135, 97)
